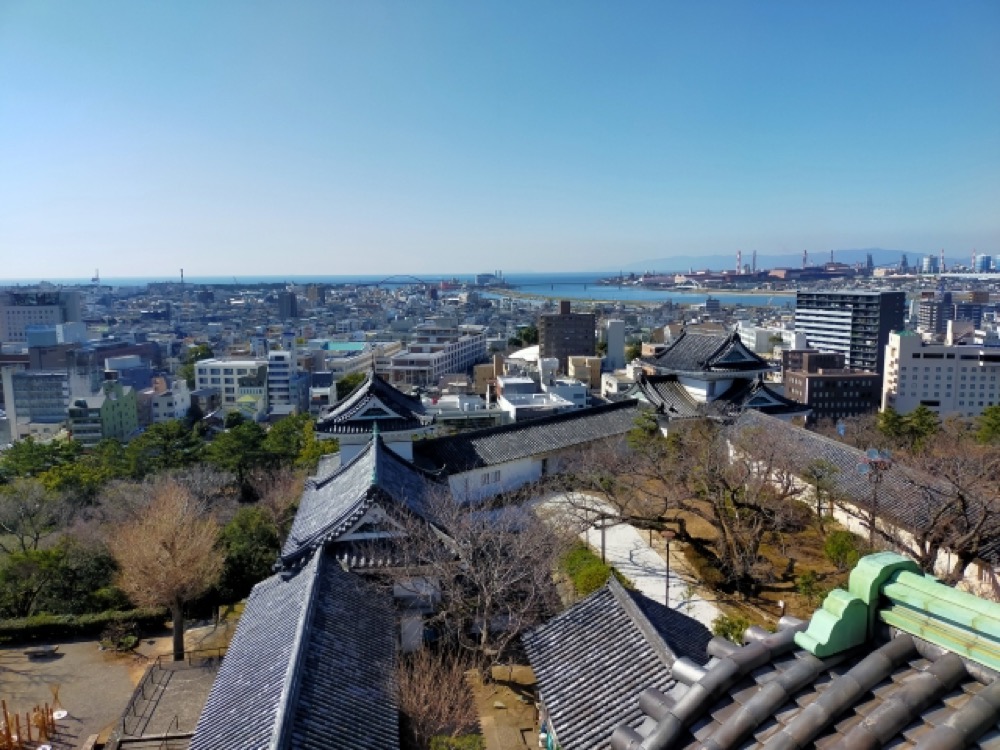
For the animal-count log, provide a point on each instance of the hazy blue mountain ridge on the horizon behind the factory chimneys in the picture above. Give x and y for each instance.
(880, 256)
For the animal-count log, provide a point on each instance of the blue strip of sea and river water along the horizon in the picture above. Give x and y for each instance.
(579, 286)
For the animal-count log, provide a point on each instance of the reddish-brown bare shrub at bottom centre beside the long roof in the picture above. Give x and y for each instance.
(434, 695)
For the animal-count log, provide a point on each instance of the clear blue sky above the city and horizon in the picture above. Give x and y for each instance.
(239, 138)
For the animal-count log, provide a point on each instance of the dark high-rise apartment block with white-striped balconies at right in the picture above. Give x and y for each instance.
(855, 323)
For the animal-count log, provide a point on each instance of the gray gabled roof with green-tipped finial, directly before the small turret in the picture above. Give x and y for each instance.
(331, 504)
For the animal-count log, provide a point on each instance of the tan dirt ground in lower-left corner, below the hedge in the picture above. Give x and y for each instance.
(93, 686)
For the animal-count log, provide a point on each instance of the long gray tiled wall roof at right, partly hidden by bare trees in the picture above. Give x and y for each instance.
(901, 491)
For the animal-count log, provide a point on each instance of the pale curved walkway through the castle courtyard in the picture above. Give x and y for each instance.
(627, 549)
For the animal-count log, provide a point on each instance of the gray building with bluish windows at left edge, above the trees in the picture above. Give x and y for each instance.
(36, 402)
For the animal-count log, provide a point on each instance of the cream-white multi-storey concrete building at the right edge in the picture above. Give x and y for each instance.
(947, 378)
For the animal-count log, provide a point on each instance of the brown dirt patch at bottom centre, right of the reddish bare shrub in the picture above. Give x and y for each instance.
(506, 707)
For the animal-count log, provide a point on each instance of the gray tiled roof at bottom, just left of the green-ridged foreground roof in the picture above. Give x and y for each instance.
(594, 659)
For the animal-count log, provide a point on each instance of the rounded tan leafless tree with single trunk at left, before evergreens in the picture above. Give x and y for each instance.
(168, 555)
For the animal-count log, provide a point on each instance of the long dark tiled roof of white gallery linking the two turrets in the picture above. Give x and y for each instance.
(497, 445)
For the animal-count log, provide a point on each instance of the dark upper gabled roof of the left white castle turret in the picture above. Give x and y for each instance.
(374, 402)
